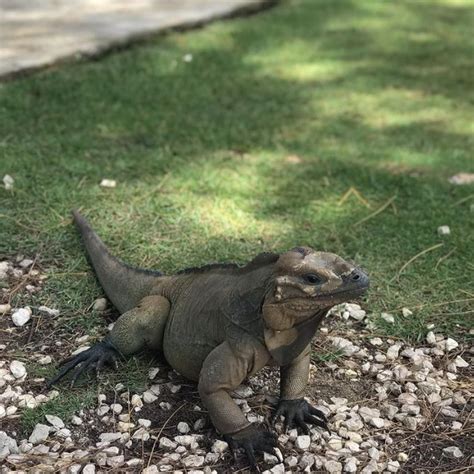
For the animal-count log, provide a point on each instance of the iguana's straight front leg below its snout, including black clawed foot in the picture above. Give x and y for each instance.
(292, 406)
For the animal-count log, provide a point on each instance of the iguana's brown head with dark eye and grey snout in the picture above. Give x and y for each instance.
(306, 282)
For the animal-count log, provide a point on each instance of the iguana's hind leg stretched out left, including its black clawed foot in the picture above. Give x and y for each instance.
(141, 327)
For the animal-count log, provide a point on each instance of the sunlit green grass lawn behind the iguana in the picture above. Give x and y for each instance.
(371, 95)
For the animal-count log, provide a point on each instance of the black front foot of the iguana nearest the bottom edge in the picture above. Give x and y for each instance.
(252, 440)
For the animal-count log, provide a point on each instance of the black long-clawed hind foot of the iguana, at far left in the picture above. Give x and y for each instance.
(97, 356)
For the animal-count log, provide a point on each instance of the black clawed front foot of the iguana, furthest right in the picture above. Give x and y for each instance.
(299, 412)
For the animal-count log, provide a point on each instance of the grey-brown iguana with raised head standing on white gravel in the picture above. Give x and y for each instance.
(221, 323)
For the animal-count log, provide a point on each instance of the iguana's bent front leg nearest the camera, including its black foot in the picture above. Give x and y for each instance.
(224, 370)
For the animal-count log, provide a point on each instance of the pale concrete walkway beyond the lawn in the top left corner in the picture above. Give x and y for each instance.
(36, 33)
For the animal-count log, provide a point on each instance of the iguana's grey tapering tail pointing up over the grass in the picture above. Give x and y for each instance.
(125, 286)
